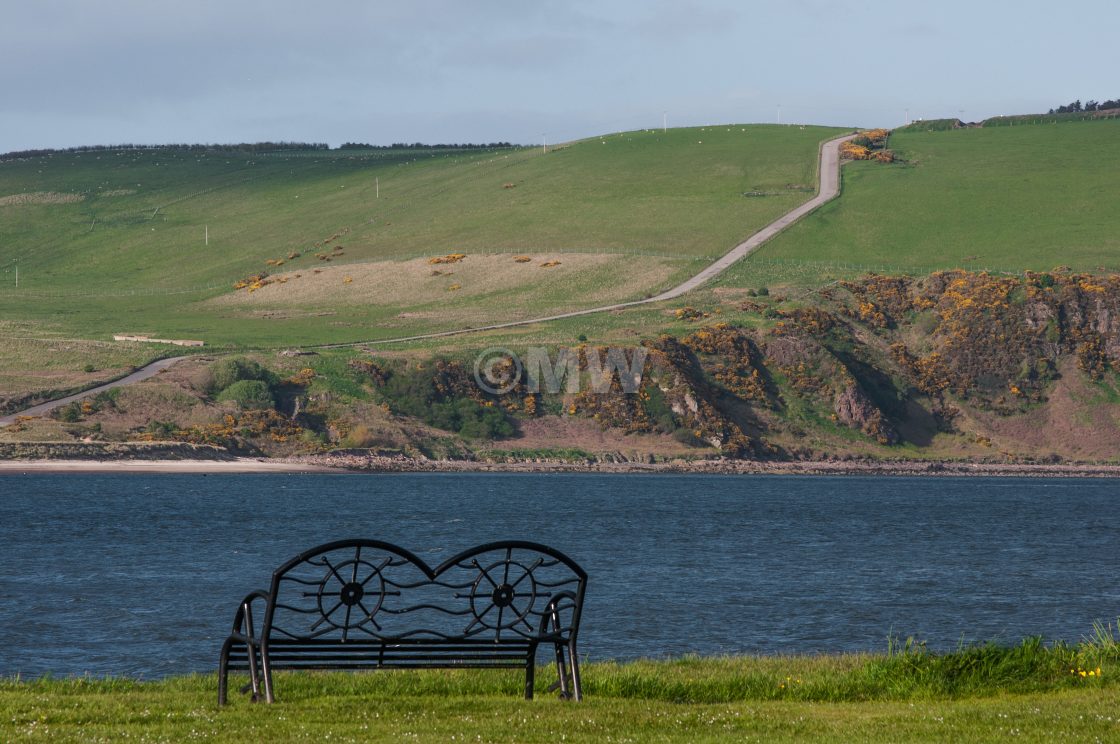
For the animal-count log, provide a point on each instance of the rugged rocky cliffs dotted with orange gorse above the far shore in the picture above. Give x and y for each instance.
(891, 358)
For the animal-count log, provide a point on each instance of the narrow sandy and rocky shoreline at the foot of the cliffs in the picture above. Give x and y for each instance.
(380, 464)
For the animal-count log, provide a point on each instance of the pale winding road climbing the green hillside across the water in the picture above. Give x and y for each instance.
(829, 171)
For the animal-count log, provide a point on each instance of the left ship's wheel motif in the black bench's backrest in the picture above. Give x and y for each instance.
(346, 601)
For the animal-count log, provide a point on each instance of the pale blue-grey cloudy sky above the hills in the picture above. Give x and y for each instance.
(208, 71)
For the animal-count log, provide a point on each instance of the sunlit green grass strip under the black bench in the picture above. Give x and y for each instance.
(981, 694)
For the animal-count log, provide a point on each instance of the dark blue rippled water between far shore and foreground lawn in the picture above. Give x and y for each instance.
(141, 575)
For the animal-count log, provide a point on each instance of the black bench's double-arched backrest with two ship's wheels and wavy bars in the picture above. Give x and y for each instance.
(368, 590)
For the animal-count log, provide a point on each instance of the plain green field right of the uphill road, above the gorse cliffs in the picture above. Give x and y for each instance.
(1001, 198)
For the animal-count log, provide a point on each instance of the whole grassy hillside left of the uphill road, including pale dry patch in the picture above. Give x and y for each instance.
(96, 234)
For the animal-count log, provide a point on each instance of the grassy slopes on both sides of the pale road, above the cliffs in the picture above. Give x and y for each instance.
(114, 243)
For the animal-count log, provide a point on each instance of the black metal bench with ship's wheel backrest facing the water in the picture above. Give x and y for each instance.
(366, 604)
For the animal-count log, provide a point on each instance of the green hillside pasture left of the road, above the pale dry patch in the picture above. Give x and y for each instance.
(142, 218)
